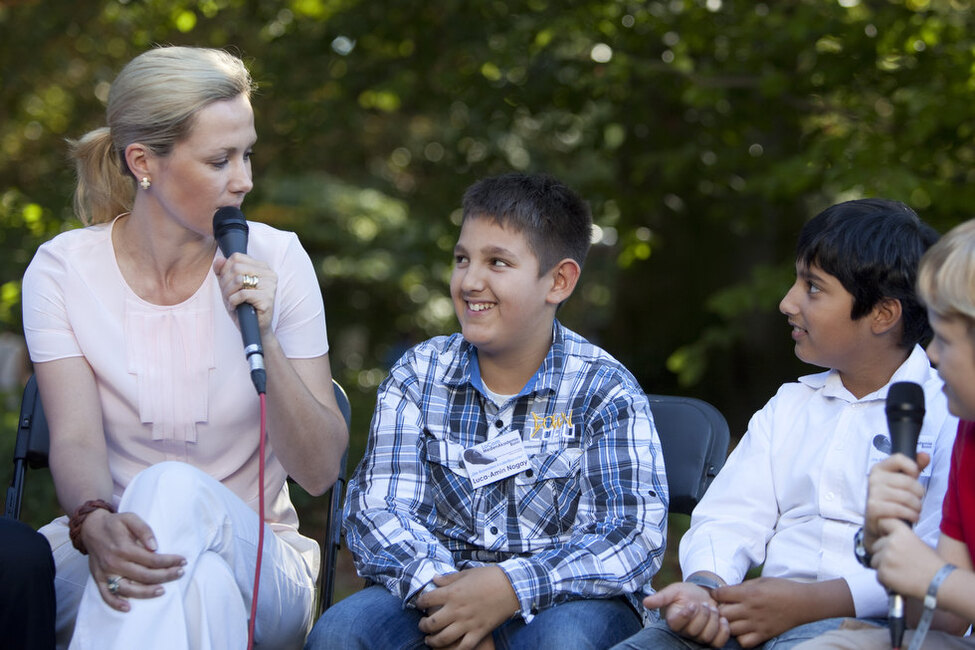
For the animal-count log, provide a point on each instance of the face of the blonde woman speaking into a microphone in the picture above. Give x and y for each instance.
(209, 169)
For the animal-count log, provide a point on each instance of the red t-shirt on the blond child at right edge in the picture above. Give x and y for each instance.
(958, 511)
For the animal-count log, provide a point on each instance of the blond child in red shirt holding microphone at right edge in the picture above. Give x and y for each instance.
(937, 585)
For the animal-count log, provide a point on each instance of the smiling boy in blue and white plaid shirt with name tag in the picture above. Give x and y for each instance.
(512, 492)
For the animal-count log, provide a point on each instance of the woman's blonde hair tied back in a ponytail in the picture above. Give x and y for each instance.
(153, 101)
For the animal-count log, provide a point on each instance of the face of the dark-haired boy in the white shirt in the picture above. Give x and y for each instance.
(819, 308)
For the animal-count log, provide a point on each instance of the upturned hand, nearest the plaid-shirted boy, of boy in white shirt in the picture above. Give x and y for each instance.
(691, 612)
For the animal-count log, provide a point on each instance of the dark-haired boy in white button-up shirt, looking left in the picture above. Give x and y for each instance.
(792, 494)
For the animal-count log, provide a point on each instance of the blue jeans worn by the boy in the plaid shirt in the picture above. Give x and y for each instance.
(374, 618)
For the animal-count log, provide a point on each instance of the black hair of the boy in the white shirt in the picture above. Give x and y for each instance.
(873, 247)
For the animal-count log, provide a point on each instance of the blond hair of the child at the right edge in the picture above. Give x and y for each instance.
(946, 279)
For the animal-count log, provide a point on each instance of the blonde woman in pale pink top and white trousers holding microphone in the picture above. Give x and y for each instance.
(154, 422)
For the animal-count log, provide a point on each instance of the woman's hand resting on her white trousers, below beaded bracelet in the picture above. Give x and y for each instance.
(121, 546)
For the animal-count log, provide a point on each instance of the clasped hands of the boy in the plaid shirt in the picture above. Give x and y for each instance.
(466, 607)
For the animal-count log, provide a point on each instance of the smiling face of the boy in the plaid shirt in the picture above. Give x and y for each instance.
(504, 307)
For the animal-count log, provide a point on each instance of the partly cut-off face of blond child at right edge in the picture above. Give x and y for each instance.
(953, 353)
